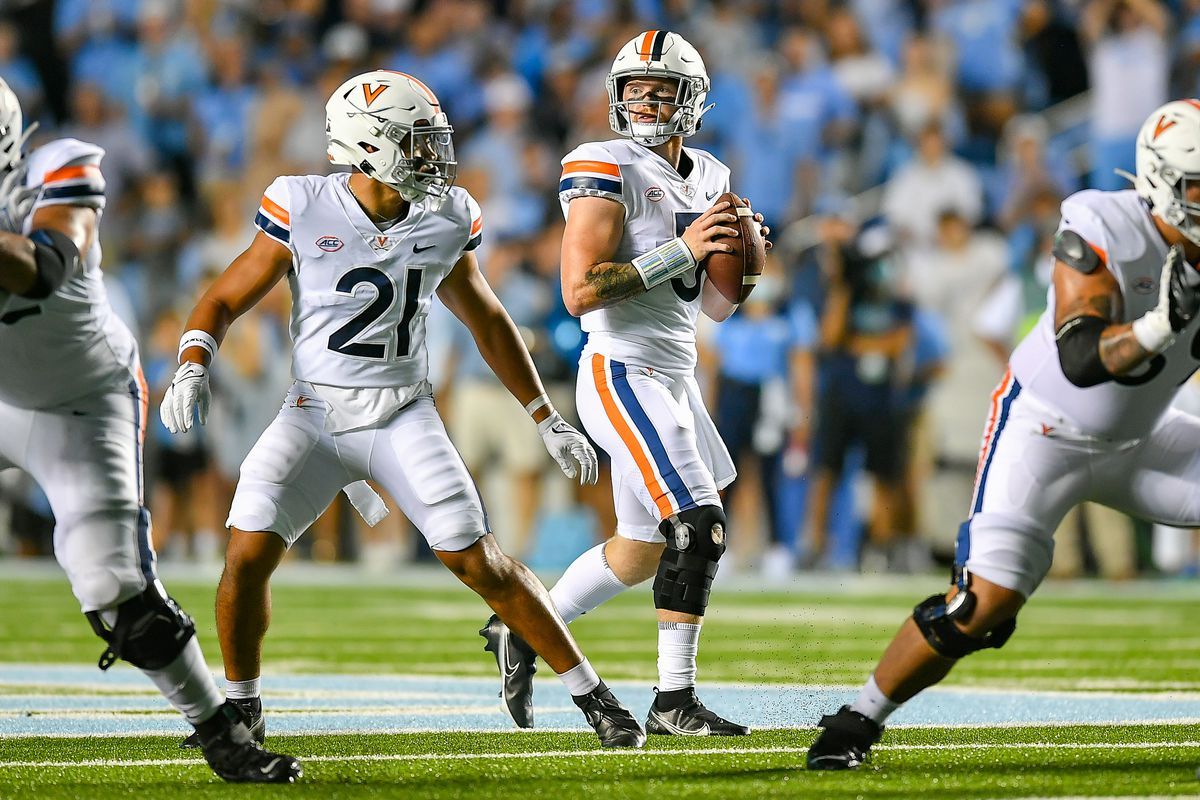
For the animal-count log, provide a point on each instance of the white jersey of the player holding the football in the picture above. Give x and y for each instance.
(658, 328)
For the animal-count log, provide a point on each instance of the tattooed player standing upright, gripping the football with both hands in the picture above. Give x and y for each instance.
(640, 222)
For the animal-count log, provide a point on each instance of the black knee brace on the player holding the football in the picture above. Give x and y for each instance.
(695, 544)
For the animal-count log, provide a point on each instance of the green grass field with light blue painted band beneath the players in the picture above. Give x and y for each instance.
(1120, 659)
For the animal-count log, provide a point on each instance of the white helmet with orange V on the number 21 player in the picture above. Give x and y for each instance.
(392, 128)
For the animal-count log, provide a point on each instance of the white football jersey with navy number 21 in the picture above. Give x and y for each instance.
(361, 296)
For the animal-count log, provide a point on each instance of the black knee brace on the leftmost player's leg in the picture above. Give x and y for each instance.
(151, 633)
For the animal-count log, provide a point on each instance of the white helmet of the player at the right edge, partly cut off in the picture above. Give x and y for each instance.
(1169, 163)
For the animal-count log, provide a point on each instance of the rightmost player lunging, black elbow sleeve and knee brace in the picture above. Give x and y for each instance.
(1082, 414)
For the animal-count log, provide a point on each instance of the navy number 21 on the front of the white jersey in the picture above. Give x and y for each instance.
(349, 340)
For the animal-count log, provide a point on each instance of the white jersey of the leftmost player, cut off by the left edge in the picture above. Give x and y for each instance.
(70, 345)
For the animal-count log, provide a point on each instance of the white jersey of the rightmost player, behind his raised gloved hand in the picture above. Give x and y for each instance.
(1120, 228)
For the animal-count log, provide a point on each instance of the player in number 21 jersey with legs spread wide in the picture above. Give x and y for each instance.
(364, 254)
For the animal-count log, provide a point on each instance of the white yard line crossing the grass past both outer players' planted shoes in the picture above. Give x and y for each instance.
(593, 754)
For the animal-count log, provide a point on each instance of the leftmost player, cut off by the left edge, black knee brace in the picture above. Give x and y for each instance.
(73, 416)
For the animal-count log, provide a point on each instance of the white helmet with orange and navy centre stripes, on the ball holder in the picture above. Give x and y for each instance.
(659, 55)
